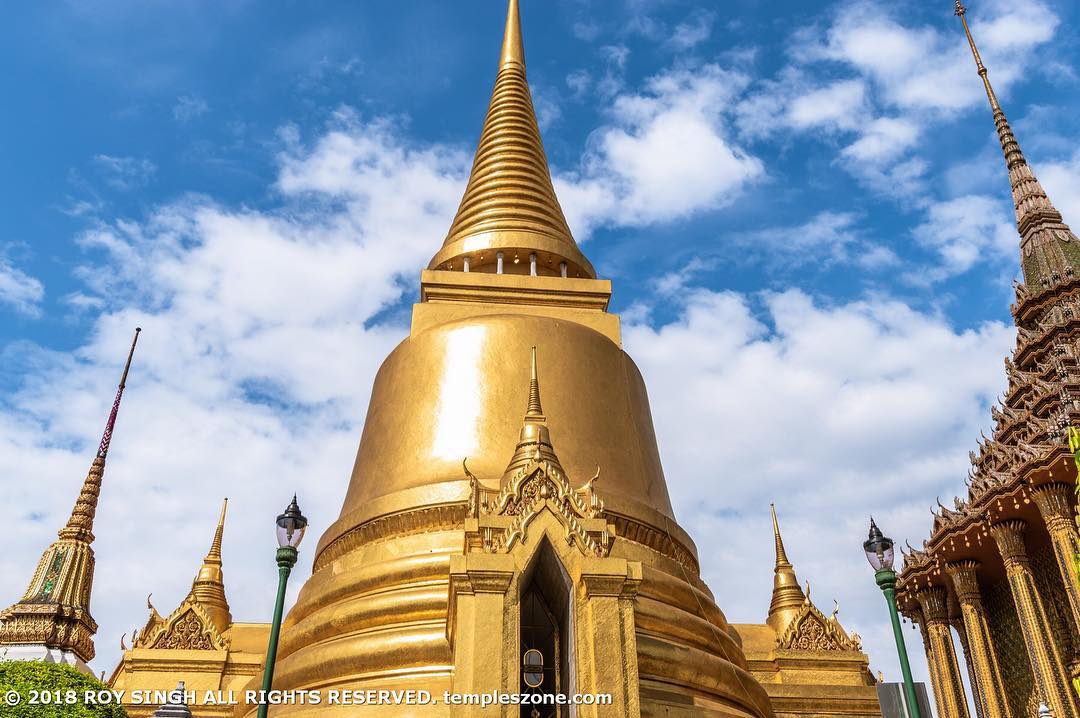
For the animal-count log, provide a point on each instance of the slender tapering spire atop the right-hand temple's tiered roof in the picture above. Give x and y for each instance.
(1050, 251)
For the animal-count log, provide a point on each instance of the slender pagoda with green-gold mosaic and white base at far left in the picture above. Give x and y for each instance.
(52, 622)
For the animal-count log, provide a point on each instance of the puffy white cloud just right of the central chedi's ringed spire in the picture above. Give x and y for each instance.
(665, 156)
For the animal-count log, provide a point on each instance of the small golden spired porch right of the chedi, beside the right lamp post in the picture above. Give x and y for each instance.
(807, 662)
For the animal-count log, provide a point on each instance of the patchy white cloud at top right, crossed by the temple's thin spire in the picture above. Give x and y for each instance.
(877, 82)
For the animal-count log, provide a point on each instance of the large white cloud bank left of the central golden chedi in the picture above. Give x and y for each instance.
(263, 332)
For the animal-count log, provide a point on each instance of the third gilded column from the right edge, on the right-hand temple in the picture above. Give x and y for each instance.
(980, 649)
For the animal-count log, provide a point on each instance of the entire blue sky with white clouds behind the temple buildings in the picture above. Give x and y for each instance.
(803, 208)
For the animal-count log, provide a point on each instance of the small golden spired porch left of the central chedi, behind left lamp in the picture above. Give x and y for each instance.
(198, 644)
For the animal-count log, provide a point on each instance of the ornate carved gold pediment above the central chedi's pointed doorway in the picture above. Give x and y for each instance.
(504, 517)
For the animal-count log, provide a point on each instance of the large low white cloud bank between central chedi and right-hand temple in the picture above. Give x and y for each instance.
(834, 413)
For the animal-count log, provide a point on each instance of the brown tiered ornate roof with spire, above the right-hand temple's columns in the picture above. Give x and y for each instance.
(1028, 449)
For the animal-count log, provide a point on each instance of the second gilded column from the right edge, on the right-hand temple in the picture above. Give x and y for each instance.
(1044, 652)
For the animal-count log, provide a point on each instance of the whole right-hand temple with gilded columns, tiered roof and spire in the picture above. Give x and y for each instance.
(1000, 571)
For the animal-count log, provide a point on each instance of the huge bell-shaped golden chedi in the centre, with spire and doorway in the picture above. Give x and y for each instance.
(485, 530)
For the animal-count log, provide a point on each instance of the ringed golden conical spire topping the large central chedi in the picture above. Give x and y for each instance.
(510, 208)
